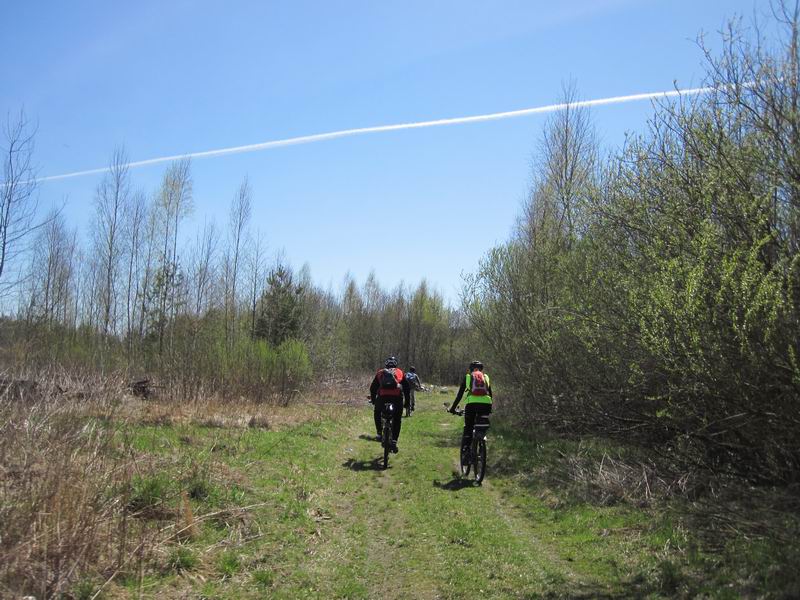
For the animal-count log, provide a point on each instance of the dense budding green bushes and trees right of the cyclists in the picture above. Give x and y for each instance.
(654, 294)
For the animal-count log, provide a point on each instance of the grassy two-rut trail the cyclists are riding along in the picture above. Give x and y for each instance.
(418, 530)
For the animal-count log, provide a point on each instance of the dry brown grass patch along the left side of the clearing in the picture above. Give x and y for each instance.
(68, 470)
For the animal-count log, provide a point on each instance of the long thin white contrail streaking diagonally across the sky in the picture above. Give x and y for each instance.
(332, 135)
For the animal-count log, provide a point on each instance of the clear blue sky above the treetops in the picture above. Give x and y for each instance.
(167, 78)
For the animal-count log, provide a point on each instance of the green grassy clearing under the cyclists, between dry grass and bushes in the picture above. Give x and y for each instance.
(303, 510)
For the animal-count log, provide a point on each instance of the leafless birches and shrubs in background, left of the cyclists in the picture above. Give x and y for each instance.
(215, 315)
